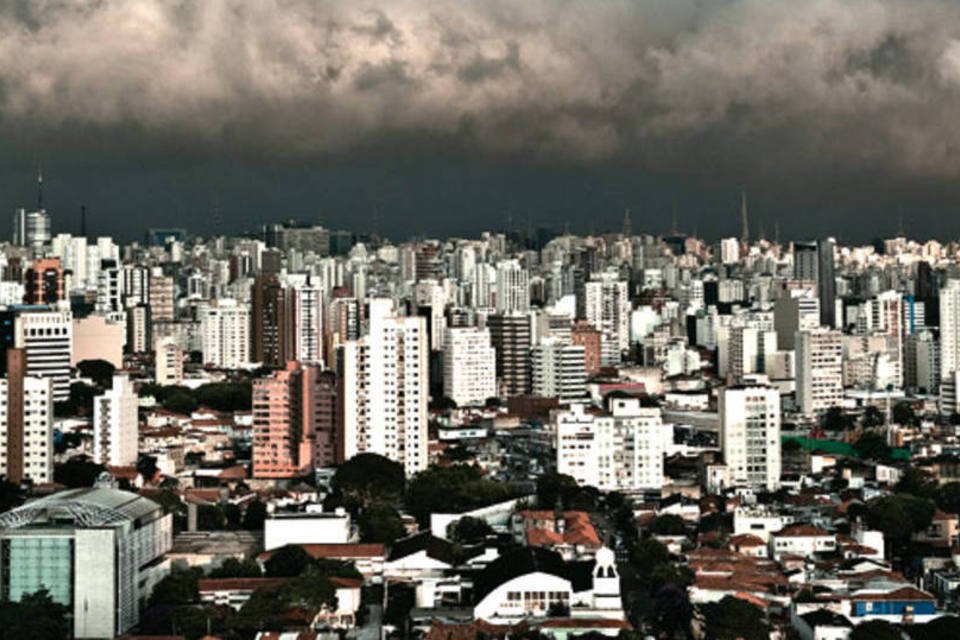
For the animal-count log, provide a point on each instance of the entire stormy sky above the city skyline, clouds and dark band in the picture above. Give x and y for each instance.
(445, 116)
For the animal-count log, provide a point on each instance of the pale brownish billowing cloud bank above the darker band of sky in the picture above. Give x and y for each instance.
(736, 84)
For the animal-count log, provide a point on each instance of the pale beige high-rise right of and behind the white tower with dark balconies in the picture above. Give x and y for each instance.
(819, 364)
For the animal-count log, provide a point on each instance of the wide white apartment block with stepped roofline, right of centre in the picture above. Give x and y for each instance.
(620, 451)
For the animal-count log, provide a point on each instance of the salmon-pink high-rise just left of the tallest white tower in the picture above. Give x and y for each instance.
(293, 429)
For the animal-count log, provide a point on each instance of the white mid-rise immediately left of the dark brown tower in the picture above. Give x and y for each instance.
(225, 333)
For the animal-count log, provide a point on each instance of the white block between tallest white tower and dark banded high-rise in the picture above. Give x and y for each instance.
(469, 366)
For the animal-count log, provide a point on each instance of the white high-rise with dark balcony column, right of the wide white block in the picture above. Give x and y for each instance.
(750, 435)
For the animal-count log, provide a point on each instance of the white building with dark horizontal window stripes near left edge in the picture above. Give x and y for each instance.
(47, 338)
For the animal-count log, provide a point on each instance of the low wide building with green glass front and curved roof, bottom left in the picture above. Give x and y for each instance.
(91, 549)
